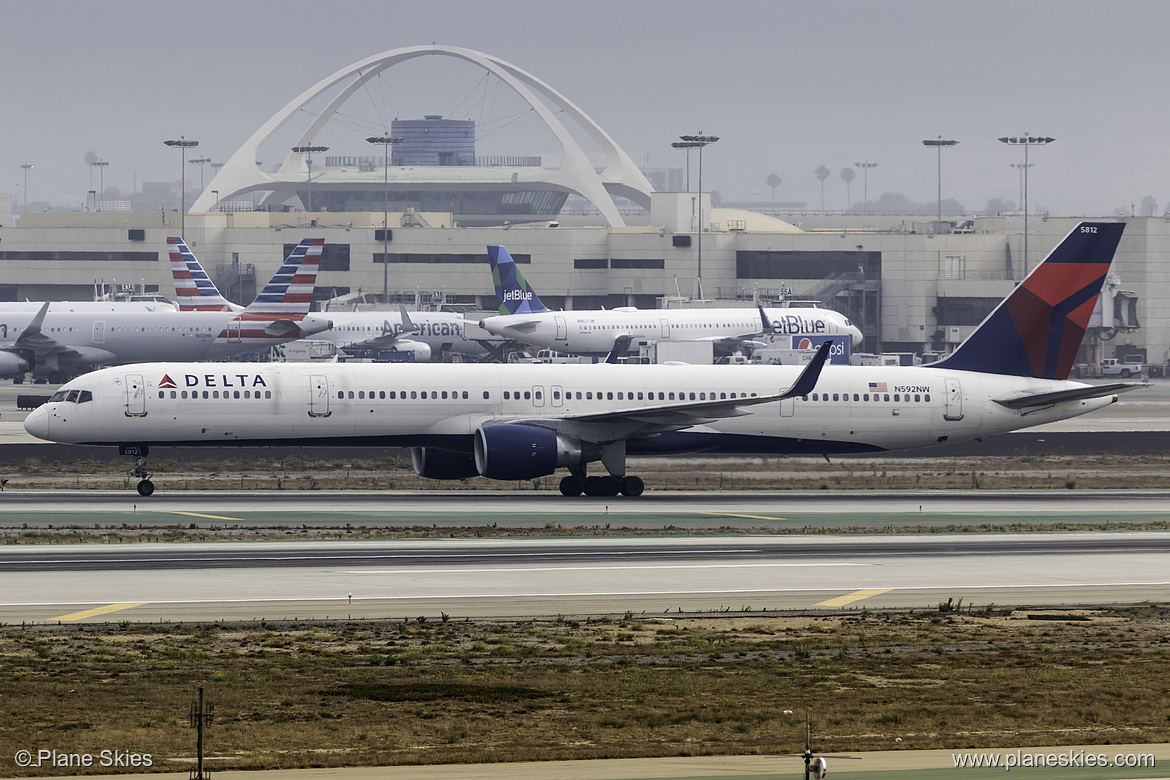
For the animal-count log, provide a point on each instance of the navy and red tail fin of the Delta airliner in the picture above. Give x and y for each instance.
(1037, 330)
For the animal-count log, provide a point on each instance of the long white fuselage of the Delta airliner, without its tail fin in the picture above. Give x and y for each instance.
(852, 410)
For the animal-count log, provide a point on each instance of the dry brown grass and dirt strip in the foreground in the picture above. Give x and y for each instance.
(452, 691)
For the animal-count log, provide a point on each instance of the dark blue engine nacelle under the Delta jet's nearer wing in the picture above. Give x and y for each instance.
(520, 452)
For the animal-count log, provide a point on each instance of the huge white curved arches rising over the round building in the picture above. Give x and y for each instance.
(240, 175)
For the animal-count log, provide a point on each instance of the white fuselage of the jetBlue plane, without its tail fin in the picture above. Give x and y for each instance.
(595, 332)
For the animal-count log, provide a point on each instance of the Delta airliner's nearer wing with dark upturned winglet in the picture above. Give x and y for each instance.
(650, 420)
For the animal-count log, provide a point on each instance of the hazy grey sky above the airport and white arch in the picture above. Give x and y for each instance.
(788, 87)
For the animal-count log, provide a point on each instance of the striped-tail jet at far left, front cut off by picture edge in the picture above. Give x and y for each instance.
(64, 343)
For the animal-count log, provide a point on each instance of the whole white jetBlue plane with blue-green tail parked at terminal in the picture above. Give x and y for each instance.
(525, 319)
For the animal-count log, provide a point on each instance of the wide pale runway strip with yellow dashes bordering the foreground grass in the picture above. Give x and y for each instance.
(527, 578)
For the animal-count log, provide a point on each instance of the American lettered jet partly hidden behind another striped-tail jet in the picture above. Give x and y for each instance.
(424, 335)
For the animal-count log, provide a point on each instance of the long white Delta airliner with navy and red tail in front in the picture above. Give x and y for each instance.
(526, 422)
